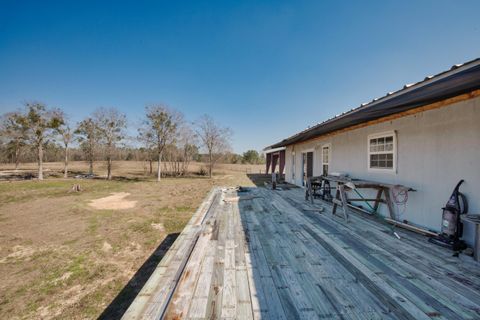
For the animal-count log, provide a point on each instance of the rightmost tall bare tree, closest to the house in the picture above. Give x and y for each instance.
(215, 139)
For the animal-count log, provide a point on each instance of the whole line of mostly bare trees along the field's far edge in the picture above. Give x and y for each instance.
(165, 137)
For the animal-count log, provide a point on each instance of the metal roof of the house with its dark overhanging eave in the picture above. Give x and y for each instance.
(459, 79)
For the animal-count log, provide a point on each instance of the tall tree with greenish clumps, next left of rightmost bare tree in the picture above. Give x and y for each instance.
(162, 123)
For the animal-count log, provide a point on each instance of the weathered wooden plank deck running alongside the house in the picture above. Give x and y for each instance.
(270, 255)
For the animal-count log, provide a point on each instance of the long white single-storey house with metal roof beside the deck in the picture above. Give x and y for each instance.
(425, 136)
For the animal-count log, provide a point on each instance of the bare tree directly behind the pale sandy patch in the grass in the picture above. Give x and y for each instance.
(111, 125)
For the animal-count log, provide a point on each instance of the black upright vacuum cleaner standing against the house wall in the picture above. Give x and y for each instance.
(452, 226)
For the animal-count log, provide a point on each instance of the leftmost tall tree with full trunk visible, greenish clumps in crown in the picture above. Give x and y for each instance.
(40, 124)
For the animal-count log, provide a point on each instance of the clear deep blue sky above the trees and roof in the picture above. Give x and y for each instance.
(267, 69)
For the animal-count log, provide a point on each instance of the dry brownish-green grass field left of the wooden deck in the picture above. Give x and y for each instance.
(61, 258)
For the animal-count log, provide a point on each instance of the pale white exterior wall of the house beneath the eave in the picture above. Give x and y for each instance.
(435, 149)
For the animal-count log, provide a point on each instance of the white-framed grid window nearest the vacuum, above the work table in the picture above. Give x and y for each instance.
(382, 151)
